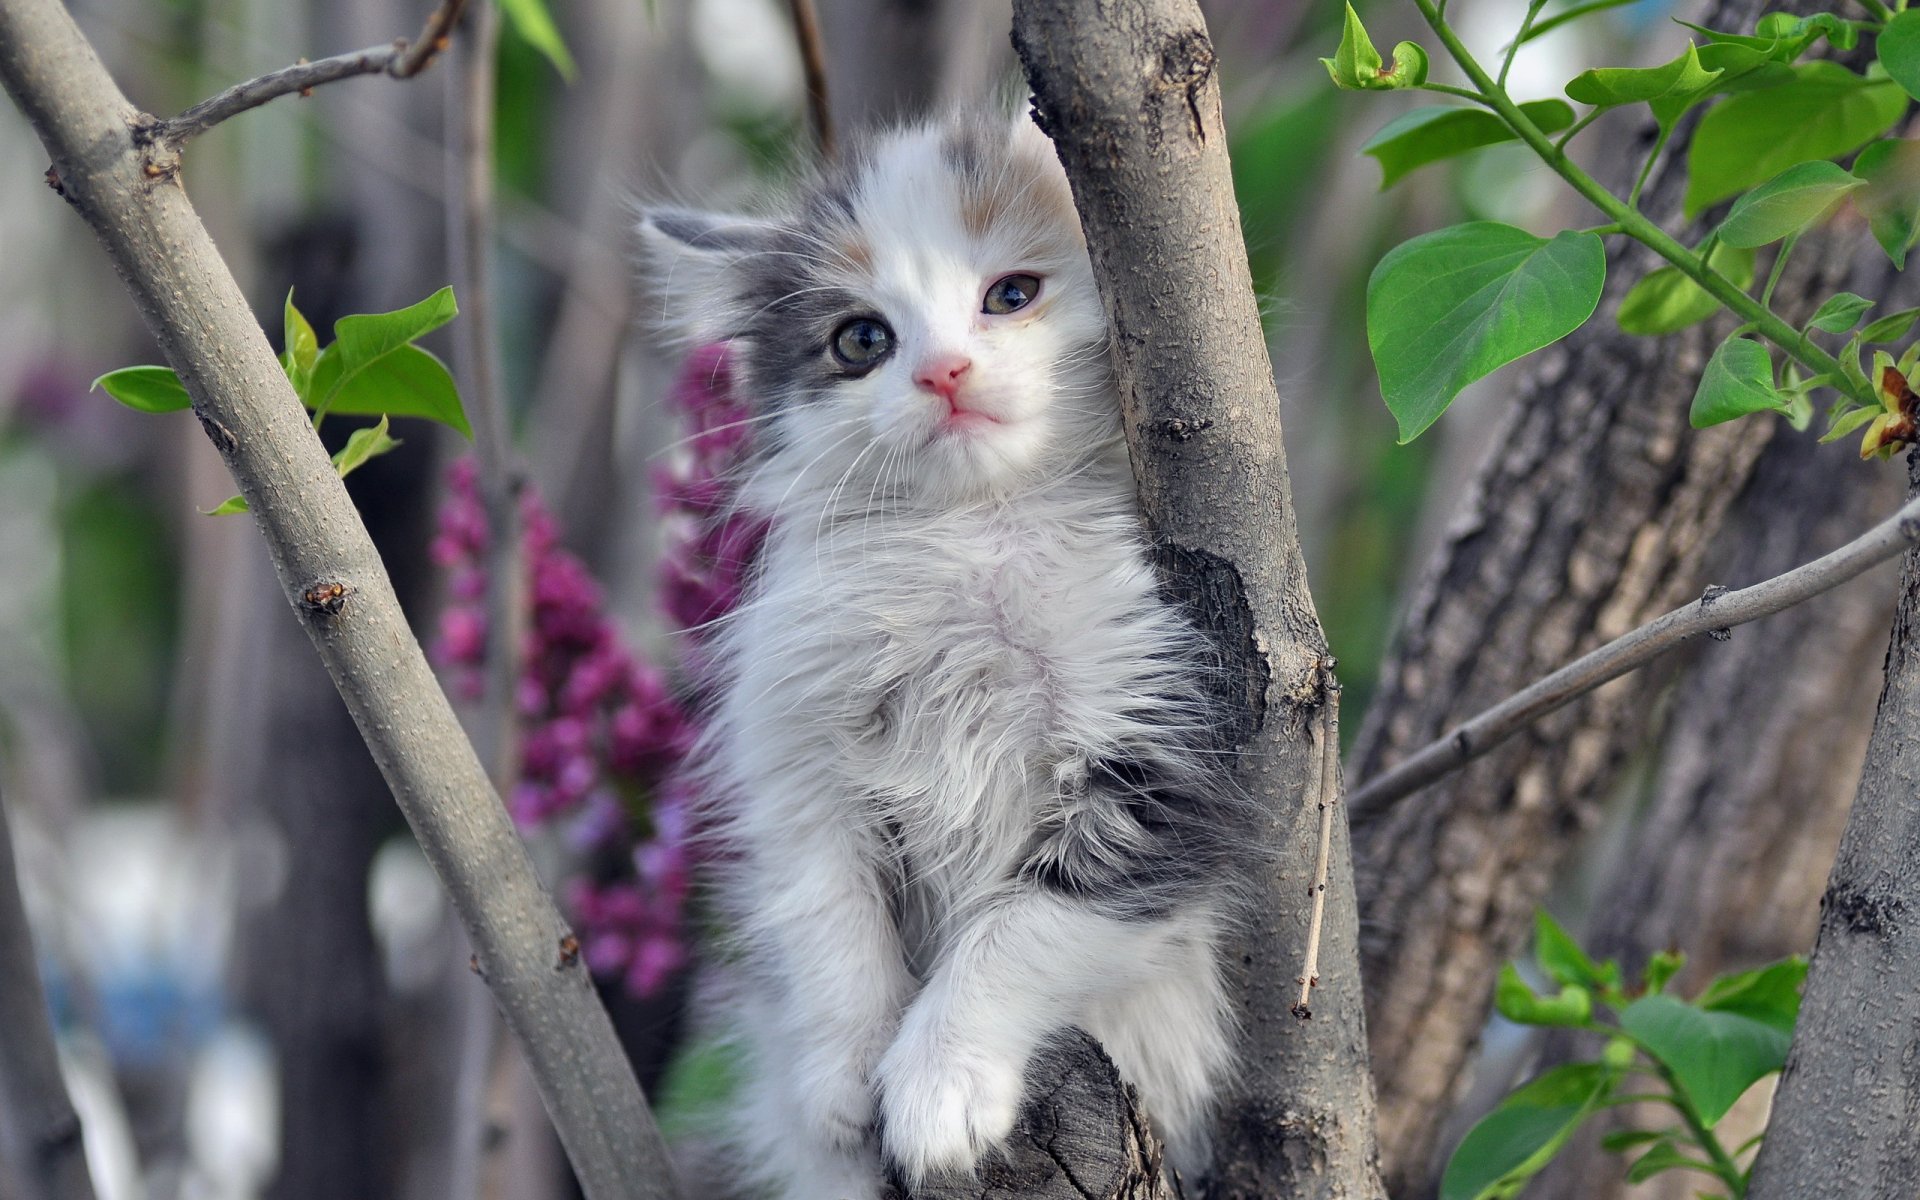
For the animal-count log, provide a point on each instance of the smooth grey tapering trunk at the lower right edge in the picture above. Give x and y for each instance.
(1846, 1118)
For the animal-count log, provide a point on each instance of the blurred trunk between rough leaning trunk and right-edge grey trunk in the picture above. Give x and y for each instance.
(1756, 775)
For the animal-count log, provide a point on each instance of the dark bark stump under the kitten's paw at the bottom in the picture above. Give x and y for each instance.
(1080, 1138)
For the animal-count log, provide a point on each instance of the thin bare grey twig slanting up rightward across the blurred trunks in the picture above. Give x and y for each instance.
(1714, 613)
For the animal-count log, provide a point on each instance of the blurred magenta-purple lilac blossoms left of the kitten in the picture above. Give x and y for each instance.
(604, 732)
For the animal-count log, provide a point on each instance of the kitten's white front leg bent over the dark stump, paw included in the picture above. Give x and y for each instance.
(1026, 969)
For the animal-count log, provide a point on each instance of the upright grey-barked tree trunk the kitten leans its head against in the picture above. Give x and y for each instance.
(1128, 89)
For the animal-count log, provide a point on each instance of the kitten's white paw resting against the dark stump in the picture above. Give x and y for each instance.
(944, 1107)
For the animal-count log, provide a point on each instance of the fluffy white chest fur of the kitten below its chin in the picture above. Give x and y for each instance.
(955, 673)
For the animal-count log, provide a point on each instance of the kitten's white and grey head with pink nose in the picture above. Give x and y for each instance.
(921, 320)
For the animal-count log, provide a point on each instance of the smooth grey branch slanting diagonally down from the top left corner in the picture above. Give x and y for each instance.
(341, 592)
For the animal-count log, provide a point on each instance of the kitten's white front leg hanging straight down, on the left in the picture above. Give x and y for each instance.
(825, 934)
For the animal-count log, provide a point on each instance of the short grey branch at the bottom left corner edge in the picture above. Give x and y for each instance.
(37, 1120)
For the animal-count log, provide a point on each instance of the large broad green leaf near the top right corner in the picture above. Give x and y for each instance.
(1825, 110)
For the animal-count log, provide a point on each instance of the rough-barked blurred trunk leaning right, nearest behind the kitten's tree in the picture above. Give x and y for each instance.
(1593, 514)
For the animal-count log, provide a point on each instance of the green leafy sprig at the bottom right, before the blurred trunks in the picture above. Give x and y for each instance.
(1704, 1055)
